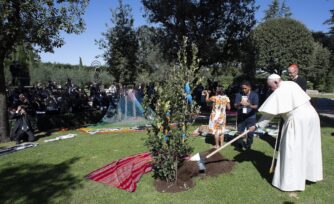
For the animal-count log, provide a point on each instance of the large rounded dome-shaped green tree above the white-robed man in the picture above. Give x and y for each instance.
(279, 42)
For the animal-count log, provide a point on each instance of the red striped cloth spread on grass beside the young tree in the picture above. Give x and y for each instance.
(124, 173)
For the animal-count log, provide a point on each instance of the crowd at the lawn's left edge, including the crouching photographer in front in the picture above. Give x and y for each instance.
(53, 98)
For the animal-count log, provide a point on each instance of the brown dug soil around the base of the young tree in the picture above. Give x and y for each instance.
(215, 165)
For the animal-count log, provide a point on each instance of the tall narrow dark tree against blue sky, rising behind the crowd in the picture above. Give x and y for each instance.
(120, 44)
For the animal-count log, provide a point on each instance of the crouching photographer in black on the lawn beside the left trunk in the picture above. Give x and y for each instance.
(22, 128)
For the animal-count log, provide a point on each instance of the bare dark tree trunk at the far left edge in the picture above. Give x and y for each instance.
(4, 128)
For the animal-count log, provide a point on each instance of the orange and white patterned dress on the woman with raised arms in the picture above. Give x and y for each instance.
(218, 115)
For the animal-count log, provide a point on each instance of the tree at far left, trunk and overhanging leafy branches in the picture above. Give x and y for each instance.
(38, 23)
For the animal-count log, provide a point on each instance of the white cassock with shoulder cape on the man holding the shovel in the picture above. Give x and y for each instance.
(300, 156)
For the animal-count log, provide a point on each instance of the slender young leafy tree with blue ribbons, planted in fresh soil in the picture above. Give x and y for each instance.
(168, 145)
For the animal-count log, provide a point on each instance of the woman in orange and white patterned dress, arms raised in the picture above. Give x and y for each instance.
(217, 120)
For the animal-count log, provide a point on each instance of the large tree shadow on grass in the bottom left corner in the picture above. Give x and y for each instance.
(37, 183)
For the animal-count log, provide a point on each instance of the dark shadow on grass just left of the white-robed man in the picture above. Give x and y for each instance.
(260, 161)
